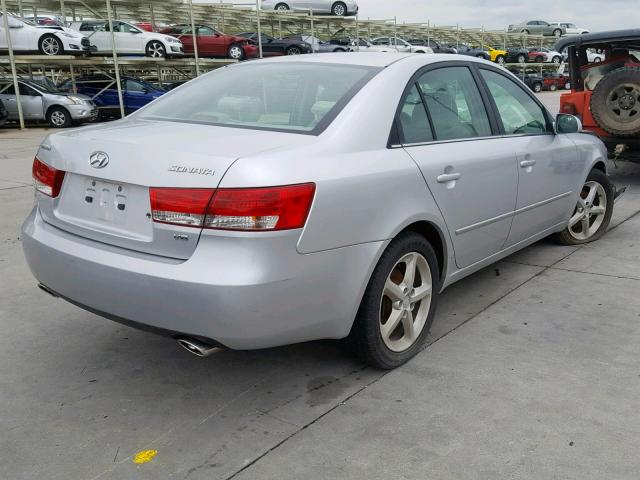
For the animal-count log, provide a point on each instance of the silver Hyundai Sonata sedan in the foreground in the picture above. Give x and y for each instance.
(288, 200)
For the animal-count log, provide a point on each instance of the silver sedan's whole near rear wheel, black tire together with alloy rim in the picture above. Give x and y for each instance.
(368, 339)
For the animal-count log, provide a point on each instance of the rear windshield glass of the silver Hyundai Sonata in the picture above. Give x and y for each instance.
(289, 97)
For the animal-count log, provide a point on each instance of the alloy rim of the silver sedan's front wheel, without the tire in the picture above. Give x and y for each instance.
(589, 212)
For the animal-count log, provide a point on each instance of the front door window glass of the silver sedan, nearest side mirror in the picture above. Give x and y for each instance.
(519, 113)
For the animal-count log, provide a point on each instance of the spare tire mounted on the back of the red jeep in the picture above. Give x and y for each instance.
(615, 102)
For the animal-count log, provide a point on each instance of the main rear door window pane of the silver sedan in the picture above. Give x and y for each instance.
(455, 104)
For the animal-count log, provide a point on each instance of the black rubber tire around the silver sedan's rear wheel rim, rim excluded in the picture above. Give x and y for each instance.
(365, 340)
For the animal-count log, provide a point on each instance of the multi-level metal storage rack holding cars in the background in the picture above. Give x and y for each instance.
(227, 17)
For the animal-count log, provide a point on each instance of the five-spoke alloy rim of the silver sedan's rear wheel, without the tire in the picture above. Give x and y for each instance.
(405, 302)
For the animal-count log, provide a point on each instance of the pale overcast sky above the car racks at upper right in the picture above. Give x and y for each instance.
(593, 15)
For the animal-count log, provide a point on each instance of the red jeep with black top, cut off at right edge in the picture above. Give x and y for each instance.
(606, 95)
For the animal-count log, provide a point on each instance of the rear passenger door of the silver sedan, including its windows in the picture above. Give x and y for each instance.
(471, 176)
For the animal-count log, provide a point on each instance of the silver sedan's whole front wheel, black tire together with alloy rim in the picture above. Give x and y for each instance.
(596, 223)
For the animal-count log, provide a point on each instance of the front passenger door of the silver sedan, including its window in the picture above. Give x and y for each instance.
(547, 163)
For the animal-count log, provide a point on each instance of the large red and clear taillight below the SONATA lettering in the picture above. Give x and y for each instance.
(244, 209)
